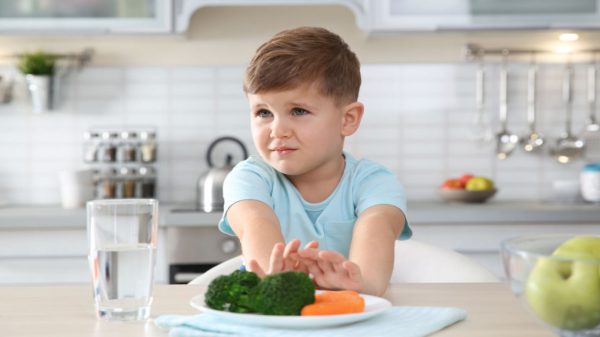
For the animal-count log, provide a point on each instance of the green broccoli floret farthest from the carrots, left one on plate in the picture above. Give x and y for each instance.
(232, 292)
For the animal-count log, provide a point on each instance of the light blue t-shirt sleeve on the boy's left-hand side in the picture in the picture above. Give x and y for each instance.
(247, 181)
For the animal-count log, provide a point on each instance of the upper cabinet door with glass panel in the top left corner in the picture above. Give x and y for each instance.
(92, 16)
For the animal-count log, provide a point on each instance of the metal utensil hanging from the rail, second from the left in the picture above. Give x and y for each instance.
(505, 141)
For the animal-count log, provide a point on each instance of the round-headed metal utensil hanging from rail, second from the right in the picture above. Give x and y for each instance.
(568, 148)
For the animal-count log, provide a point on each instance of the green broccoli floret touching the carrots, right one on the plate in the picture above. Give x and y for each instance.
(283, 294)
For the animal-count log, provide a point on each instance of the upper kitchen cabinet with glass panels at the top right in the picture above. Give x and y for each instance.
(408, 15)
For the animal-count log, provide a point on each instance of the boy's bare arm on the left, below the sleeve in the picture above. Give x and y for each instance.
(257, 227)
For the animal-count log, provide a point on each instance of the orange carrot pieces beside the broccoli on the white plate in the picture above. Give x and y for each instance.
(335, 303)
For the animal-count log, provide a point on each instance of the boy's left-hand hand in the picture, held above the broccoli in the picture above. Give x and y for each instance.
(284, 258)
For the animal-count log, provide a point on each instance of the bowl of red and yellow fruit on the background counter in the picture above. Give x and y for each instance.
(467, 188)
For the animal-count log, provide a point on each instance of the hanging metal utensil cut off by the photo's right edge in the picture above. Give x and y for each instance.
(591, 133)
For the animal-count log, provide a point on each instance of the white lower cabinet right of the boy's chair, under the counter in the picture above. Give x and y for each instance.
(481, 242)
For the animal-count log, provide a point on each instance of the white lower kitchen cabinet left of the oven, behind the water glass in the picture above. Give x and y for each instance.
(54, 256)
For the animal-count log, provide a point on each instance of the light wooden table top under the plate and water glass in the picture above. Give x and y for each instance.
(67, 311)
